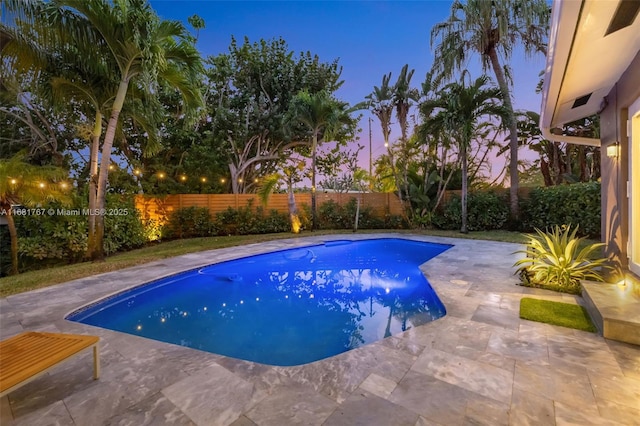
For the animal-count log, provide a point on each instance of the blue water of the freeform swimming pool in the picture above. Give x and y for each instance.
(283, 308)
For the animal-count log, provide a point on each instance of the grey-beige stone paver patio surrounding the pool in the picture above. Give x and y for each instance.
(480, 364)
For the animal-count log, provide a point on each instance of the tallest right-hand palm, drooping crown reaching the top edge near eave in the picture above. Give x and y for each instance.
(492, 29)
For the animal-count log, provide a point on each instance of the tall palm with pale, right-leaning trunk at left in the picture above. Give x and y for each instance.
(145, 51)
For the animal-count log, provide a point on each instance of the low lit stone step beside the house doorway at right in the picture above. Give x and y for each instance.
(615, 310)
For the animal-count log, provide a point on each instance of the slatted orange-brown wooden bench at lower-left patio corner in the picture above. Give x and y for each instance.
(28, 355)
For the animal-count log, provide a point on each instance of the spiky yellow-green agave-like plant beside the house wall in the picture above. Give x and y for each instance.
(553, 259)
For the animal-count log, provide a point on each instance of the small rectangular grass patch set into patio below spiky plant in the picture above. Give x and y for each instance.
(556, 313)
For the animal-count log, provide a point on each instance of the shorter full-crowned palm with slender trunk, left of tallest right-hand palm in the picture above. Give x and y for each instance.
(459, 109)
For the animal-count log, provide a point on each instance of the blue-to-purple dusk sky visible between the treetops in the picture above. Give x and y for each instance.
(370, 38)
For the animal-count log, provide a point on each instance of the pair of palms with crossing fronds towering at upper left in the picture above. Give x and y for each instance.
(104, 57)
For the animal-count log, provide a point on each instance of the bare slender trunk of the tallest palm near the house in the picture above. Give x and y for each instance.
(513, 136)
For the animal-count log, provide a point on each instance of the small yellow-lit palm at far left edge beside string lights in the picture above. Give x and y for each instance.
(23, 184)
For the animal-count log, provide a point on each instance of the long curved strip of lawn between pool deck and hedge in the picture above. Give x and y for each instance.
(32, 280)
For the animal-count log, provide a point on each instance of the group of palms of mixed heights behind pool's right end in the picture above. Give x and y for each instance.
(455, 110)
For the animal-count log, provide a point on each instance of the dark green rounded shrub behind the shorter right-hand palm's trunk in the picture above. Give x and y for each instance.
(485, 211)
